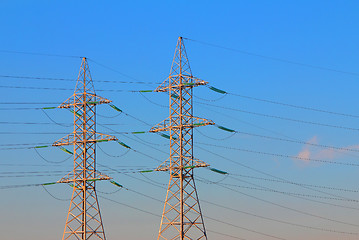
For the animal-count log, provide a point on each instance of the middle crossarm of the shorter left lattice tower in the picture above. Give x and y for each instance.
(70, 139)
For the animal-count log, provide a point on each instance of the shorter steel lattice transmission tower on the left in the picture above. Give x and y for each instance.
(84, 218)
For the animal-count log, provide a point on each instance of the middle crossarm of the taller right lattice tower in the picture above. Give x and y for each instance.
(167, 125)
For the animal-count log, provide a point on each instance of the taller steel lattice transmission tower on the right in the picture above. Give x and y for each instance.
(182, 217)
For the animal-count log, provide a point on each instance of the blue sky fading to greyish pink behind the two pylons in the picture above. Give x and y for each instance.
(302, 53)
